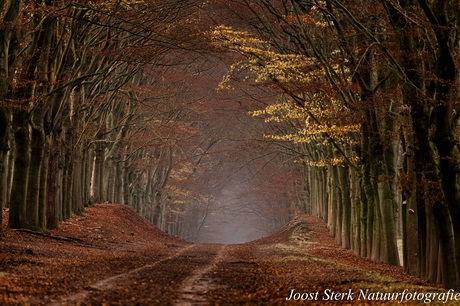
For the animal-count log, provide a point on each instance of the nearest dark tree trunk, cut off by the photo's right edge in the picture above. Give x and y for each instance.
(446, 129)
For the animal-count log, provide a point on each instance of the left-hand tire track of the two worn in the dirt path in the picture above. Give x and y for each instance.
(109, 282)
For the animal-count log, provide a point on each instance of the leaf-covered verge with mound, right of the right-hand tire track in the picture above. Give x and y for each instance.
(304, 256)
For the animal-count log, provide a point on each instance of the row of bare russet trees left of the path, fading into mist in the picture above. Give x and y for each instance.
(113, 101)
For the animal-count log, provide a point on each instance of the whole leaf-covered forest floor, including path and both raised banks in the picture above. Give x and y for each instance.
(110, 256)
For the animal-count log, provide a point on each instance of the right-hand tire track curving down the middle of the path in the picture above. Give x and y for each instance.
(194, 288)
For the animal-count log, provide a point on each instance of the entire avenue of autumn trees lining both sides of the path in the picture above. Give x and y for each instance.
(110, 101)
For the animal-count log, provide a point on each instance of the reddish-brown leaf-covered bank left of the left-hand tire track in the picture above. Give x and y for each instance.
(107, 240)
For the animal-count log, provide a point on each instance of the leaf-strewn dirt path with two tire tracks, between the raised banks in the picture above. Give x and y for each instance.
(280, 273)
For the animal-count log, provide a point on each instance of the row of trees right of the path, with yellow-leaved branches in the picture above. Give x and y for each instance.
(369, 97)
